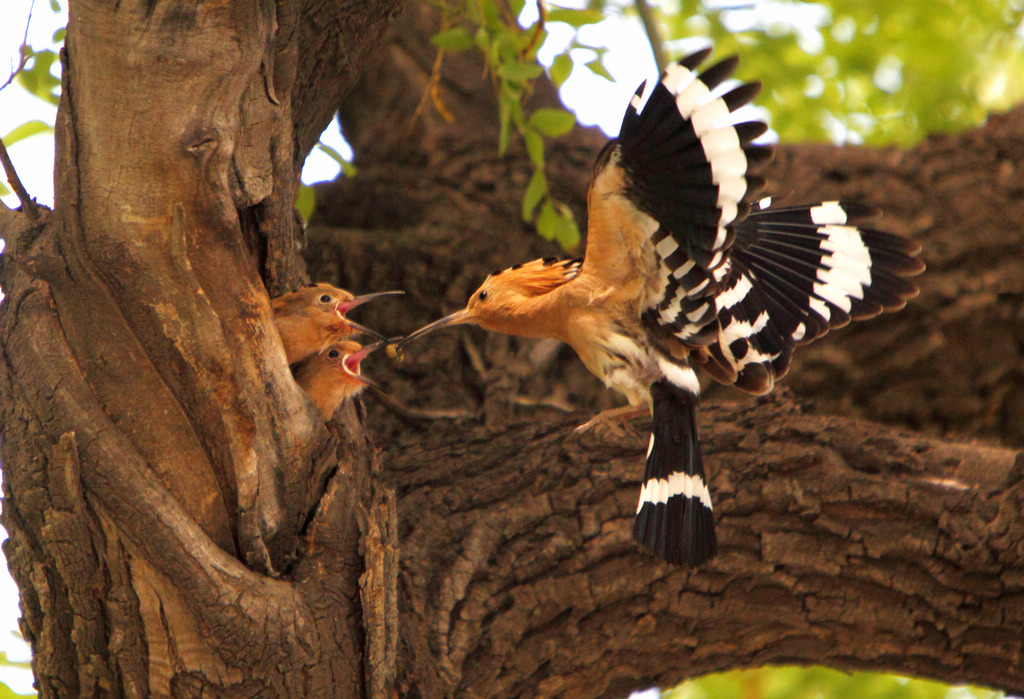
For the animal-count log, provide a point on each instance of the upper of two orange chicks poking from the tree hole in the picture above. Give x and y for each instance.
(313, 318)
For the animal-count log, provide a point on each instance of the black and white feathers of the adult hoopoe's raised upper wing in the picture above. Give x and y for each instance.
(688, 167)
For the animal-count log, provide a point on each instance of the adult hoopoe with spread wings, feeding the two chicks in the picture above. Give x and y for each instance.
(682, 269)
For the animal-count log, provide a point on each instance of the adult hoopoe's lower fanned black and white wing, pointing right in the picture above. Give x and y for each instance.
(794, 275)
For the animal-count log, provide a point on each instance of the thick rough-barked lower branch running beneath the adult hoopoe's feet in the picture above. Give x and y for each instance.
(843, 543)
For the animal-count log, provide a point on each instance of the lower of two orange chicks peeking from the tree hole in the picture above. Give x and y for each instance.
(331, 377)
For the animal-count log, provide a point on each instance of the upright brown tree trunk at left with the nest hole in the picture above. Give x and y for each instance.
(163, 472)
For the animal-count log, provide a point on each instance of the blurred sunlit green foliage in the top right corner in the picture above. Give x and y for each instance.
(870, 71)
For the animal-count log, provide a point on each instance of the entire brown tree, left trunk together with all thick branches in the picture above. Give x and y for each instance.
(182, 523)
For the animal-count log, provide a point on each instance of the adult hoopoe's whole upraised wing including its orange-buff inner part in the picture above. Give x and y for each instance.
(666, 193)
